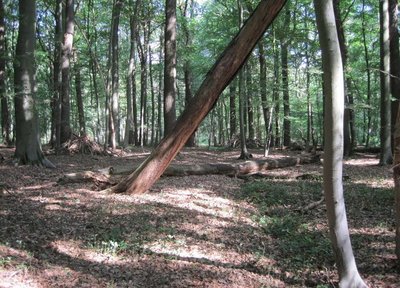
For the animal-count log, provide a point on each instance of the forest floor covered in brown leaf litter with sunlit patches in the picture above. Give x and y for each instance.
(192, 231)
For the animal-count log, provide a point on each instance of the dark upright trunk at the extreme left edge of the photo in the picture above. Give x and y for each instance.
(5, 114)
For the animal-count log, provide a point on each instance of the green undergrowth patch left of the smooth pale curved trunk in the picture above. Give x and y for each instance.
(301, 245)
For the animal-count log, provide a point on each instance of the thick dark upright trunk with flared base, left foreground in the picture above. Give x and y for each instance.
(28, 149)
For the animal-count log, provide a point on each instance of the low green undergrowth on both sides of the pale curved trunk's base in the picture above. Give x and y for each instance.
(301, 237)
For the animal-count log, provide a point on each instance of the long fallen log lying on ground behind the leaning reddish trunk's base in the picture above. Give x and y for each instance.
(107, 176)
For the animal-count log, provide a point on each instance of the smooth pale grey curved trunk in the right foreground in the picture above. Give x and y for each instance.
(333, 145)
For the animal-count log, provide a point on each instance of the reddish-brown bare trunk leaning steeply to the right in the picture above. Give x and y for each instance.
(215, 82)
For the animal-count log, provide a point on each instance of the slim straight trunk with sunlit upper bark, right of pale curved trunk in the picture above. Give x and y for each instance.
(385, 134)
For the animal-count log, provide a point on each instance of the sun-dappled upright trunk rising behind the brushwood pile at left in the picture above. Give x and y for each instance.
(65, 126)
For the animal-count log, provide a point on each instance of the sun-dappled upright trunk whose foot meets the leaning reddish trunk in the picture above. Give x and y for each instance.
(170, 66)
